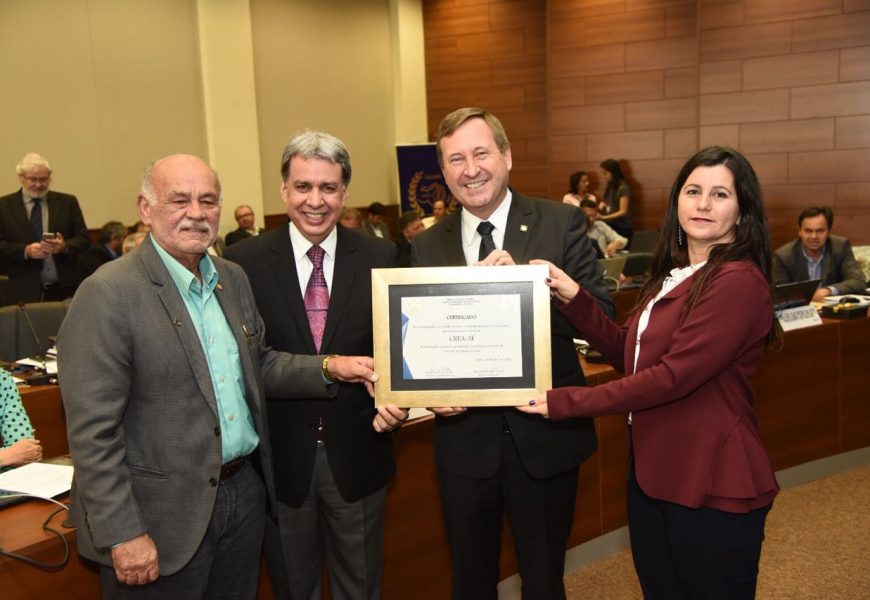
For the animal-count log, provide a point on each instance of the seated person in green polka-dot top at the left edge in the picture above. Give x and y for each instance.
(17, 446)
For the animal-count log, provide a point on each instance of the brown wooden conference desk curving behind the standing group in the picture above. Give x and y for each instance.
(812, 402)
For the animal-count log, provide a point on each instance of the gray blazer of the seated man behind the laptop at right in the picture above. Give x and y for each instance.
(839, 267)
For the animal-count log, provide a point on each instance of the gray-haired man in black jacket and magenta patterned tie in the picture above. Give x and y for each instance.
(332, 458)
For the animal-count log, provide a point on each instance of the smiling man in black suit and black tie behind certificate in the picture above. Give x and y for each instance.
(496, 460)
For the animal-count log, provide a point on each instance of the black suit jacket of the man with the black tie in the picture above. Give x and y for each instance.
(470, 443)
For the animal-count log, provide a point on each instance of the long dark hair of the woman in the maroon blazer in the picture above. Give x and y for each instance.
(751, 237)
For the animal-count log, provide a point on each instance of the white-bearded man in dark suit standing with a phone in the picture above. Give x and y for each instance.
(41, 233)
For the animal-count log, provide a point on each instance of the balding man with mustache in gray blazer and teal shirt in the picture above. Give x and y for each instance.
(163, 374)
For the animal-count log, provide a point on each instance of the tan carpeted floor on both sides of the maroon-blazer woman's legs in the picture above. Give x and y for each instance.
(816, 548)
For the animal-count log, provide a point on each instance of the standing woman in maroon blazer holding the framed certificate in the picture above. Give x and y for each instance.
(700, 480)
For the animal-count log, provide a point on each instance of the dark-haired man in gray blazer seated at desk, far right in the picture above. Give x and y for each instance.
(818, 254)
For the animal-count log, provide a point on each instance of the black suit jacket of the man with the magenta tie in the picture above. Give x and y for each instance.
(361, 460)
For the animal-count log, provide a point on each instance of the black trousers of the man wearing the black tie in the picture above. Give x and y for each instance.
(540, 513)
